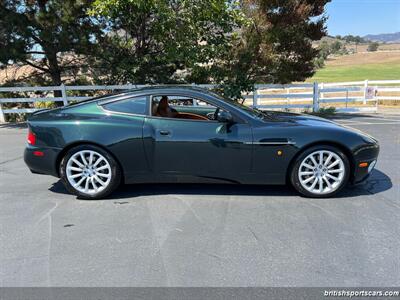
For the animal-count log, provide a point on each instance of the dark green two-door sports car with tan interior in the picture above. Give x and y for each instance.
(187, 134)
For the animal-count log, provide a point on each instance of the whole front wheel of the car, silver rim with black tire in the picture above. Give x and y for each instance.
(320, 171)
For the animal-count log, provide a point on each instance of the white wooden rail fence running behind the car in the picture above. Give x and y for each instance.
(345, 96)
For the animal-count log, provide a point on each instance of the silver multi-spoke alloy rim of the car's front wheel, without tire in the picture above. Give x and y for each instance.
(322, 172)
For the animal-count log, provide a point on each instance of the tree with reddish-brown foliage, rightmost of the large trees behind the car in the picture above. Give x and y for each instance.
(275, 46)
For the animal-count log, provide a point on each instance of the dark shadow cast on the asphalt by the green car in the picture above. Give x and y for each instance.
(377, 183)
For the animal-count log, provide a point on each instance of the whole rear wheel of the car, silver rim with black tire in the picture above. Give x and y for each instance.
(89, 172)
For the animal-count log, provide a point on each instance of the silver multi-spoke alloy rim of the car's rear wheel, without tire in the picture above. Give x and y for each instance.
(88, 172)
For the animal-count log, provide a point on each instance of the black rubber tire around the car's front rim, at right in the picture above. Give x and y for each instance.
(294, 171)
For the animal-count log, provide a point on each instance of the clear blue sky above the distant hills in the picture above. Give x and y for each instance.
(361, 17)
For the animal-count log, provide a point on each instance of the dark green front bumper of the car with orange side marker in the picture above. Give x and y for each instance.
(369, 155)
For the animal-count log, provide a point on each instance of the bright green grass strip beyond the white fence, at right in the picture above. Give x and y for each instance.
(385, 71)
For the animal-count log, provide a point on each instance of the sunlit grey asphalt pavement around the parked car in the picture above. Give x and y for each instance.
(201, 235)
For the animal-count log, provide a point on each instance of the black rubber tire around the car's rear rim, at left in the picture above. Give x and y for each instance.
(115, 173)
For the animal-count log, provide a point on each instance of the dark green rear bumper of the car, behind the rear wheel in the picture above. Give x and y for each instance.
(45, 164)
